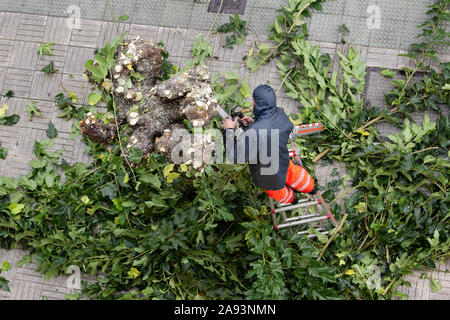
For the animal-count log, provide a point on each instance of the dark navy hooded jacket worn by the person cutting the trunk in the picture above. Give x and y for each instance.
(264, 145)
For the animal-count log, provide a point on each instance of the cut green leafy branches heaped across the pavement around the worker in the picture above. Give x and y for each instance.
(166, 231)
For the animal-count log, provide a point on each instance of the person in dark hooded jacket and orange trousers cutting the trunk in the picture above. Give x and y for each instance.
(289, 180)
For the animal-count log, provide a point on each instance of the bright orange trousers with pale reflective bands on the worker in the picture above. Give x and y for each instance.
(297, 178)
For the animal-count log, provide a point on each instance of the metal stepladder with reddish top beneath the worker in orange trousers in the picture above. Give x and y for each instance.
(321, 212)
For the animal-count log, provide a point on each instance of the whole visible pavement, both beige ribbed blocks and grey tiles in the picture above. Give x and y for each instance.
(29, 23)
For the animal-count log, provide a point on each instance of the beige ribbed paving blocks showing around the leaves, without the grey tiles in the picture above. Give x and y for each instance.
(20, 71)
